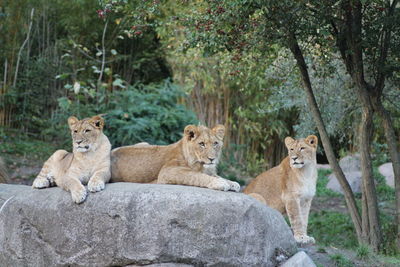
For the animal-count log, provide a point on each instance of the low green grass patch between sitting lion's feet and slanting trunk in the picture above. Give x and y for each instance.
(332, 229)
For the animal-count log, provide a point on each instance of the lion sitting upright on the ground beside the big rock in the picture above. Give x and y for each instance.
(290, 186)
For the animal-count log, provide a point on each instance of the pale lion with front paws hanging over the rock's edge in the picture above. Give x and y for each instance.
(89, 163)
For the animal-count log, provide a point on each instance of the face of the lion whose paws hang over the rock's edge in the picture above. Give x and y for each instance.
(85, 132)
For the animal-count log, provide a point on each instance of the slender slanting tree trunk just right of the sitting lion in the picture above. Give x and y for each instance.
(348, 193)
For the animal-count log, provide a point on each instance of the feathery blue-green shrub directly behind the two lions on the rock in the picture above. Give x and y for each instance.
(140, 113)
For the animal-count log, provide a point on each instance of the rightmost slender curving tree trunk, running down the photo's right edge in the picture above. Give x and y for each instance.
(394, 155)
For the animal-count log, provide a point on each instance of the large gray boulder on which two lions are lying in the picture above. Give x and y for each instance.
(138, 224)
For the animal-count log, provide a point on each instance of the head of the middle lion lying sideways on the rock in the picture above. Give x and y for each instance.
(203, 145)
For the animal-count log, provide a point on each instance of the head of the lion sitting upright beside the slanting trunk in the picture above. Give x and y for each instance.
(301, 151)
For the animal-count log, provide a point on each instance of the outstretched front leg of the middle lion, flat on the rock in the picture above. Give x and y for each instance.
(186, 176)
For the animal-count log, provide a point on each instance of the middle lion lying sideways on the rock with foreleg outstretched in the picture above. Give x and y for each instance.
(190, 161)
